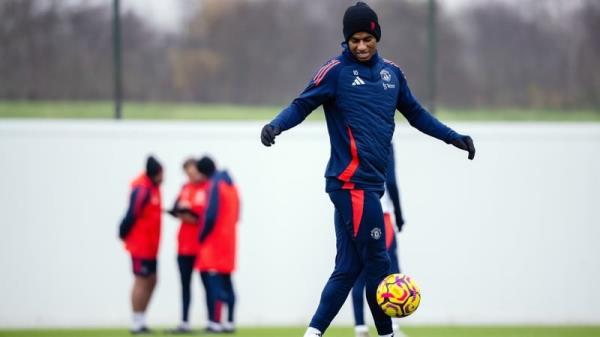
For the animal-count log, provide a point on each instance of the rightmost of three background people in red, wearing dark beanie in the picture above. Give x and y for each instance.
(216, 254)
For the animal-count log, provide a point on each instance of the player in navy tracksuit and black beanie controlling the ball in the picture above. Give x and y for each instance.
(360, 92)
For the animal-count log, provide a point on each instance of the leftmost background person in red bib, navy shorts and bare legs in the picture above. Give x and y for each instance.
(140, 230)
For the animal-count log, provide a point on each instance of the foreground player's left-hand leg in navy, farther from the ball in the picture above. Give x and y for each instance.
(347, 266)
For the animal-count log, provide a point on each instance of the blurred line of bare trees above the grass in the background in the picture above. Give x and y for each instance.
(541, 54)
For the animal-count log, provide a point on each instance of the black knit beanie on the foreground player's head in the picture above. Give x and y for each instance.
(361, 18)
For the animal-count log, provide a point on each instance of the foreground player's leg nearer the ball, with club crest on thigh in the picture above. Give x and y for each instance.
(370, 242)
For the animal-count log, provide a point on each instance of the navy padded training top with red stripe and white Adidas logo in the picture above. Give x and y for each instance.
(360, 100)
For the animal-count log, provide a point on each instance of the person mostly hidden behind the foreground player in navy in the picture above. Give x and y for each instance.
(393, 220)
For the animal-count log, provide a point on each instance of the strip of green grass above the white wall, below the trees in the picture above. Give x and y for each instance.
(178, 111)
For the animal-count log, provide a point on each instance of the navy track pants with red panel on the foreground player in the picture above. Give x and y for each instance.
(360, 243)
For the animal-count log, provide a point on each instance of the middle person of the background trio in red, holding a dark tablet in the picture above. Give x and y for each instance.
(188, 207)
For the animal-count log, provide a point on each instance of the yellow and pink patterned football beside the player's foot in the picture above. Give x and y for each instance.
(398, 295)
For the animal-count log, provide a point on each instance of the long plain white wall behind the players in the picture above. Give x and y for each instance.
(512, 237)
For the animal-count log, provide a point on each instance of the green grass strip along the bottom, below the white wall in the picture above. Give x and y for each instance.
(558, 331)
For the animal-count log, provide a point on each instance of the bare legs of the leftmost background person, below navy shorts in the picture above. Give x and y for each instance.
(143, 286)
